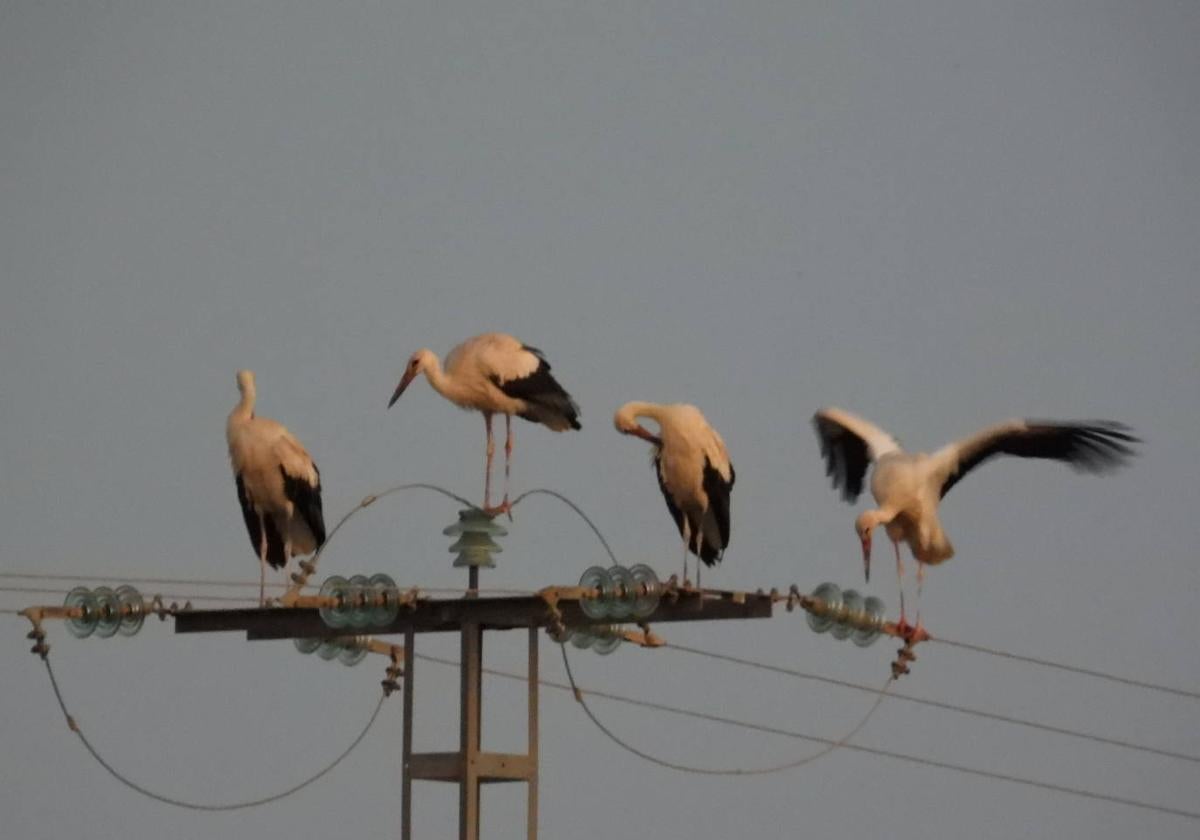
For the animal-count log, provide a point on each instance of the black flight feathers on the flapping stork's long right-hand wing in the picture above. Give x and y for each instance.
(1094, 447)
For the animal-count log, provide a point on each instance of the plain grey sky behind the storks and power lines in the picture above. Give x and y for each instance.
(938, 214)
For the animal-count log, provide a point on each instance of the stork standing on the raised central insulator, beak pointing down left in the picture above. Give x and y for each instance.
(496, 374)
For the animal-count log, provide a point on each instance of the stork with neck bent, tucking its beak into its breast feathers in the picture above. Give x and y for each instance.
(694, 472)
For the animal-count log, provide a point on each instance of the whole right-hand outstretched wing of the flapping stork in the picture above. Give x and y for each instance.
(1090, 447)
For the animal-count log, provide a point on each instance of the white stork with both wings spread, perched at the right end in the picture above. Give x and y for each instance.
(909, 488)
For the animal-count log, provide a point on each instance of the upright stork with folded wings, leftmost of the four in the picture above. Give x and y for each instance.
(279, 487)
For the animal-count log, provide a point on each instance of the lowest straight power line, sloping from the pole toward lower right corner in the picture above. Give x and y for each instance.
(854, 748)
